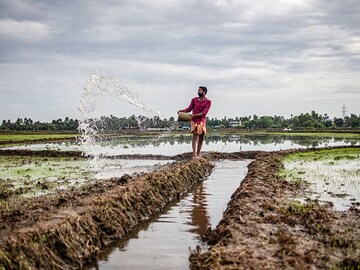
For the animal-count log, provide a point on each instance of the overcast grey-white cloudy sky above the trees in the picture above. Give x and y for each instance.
(277, 57)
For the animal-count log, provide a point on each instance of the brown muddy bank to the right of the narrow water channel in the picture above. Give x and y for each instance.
(263, 228)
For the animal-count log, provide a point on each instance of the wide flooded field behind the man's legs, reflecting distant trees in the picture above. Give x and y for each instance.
(173, 145)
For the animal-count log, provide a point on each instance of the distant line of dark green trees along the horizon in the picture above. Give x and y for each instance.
(312, 120)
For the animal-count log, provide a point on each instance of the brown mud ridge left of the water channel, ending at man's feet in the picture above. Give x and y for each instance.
(68, 232)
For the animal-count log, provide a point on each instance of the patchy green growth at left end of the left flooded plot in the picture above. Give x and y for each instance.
(39, 175)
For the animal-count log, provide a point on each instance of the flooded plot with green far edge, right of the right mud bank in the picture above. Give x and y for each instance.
(333, 175)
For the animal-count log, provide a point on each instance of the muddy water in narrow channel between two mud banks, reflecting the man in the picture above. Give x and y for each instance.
(164, 241)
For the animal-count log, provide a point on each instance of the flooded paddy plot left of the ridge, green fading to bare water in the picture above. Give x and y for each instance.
(35, 176)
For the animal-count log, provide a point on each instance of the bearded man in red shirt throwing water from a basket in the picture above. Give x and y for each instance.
(199, 107)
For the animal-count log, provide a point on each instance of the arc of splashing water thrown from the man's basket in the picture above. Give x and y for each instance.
(96, 89)
